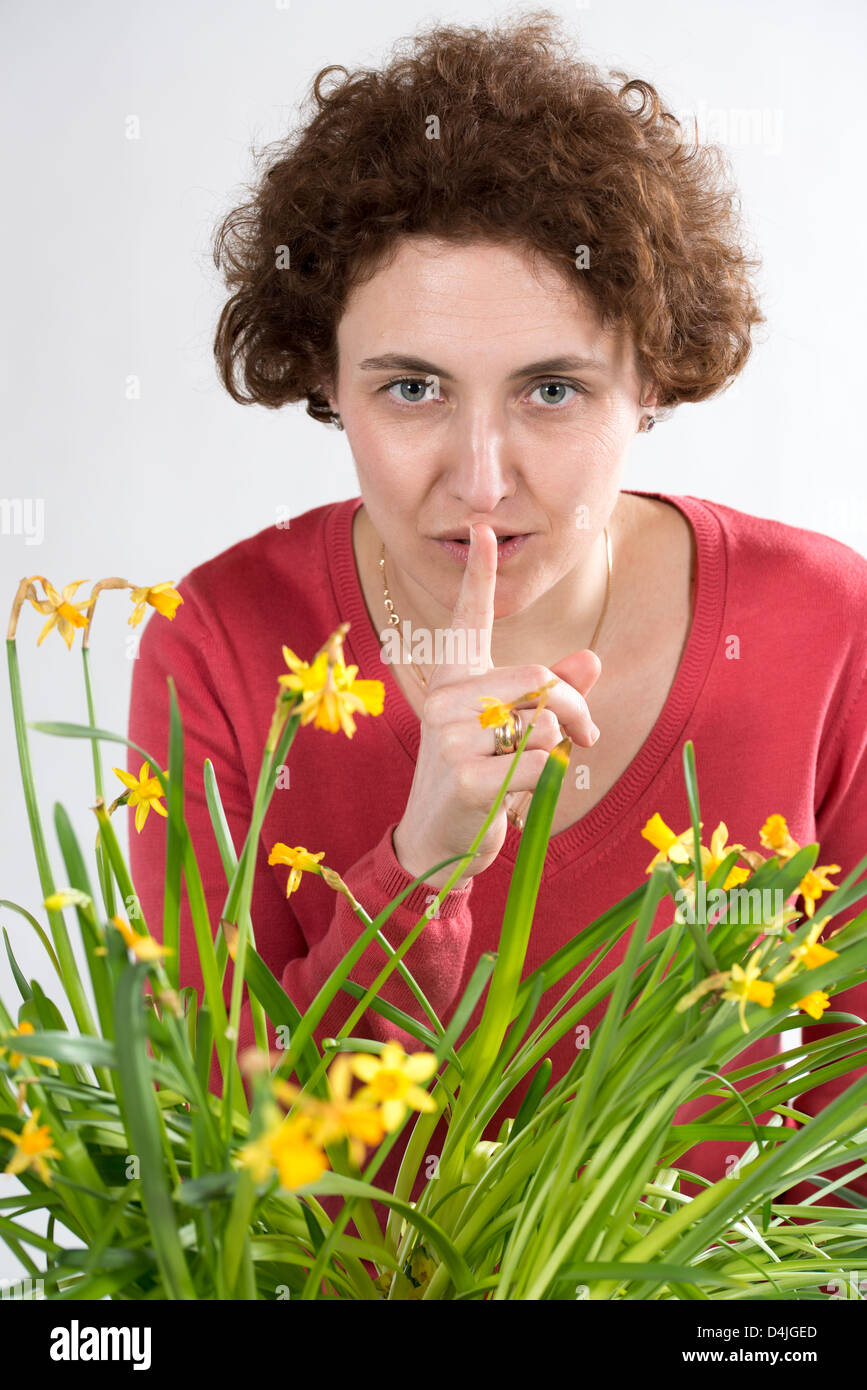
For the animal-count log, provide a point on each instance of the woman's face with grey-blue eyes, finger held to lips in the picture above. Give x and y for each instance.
(495, 420)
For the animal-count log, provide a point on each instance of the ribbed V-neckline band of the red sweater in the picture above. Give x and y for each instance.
(363, 650)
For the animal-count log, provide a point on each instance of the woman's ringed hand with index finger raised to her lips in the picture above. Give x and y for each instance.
(458, 774)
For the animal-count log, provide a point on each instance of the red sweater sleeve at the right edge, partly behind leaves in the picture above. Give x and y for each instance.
(841, 831)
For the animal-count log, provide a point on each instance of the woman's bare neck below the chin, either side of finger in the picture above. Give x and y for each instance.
(559, 622)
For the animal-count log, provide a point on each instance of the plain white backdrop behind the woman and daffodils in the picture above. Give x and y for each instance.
(108, 275)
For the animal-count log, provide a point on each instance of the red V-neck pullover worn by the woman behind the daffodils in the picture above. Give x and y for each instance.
(779, 728)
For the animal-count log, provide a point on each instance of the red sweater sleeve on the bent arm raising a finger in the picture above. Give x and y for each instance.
(188, 654)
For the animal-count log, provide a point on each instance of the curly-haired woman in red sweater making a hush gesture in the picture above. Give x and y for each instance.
(493, 269)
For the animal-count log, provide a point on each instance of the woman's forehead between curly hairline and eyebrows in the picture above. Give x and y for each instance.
(466, 295)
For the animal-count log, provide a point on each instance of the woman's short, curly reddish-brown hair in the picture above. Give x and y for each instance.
(531, 145)
